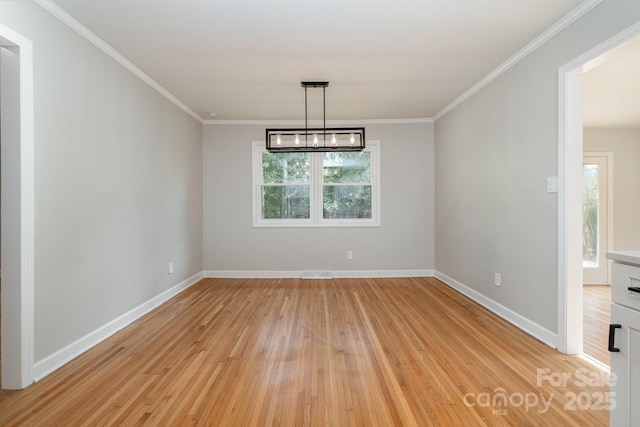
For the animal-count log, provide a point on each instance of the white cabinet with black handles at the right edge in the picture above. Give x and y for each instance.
(624, 339)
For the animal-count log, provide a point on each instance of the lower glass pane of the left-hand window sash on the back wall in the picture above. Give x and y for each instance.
(291, 201)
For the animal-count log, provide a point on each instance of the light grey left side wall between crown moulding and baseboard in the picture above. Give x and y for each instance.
(118, 183)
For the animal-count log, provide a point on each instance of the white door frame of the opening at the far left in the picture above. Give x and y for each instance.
(18, 295)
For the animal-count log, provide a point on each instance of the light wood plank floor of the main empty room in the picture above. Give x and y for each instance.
(361, 352)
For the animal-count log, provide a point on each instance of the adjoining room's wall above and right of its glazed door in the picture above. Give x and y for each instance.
(625, 146)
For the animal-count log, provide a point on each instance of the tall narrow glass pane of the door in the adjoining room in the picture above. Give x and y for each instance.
(590, 205)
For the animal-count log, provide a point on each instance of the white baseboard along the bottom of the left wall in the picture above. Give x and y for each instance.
(49, 364)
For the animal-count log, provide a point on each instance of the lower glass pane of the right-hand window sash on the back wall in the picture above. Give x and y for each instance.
(347, 201)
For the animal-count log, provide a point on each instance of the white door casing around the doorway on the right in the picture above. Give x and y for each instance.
(569, 76)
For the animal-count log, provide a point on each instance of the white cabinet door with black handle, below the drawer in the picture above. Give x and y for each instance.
(625, 368)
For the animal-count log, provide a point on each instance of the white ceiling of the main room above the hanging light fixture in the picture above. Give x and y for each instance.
(245, 59)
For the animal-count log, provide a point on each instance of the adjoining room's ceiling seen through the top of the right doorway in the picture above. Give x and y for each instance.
(611, 85)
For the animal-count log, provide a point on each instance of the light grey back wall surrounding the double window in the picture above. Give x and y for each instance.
(403, 242)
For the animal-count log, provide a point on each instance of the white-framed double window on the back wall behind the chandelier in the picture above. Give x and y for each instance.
(334, 189)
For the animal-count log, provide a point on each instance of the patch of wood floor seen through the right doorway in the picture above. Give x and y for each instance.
(597, 316)
